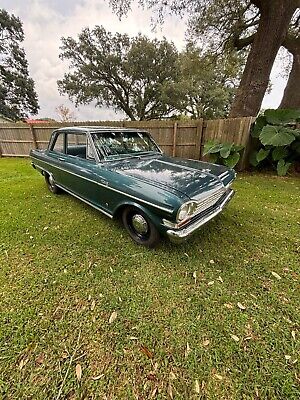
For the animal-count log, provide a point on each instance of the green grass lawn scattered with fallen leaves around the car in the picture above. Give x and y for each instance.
(214, 318)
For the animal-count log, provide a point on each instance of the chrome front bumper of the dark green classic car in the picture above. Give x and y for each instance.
(180, 235)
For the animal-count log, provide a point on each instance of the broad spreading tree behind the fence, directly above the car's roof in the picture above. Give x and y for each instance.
(130, 74)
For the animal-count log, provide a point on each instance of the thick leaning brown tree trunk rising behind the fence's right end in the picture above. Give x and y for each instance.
(271, 32)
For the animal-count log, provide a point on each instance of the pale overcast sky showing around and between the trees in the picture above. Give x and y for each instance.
(46, 21)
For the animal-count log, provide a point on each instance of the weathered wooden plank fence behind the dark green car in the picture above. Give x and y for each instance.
(175, 138)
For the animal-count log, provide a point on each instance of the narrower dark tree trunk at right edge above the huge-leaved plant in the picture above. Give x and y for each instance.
(291, 95)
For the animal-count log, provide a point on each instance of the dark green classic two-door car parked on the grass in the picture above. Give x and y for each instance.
(124, 174)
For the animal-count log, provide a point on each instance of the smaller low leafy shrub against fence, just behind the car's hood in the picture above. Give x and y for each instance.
(223, 153)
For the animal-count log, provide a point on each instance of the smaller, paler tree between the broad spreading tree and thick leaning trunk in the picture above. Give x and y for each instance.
(207, 82)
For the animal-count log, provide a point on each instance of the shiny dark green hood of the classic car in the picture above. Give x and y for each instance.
(188, 177)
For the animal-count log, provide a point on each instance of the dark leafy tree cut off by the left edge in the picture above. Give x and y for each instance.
(17, 94)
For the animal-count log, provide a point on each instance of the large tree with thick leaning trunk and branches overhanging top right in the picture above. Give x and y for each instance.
(228, 19)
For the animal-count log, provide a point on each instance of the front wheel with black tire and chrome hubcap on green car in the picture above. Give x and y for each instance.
(140, 228)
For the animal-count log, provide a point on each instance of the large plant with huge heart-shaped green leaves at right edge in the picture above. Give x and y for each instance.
(277, 139)
